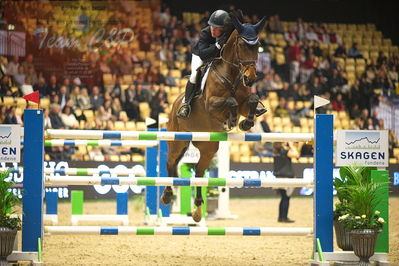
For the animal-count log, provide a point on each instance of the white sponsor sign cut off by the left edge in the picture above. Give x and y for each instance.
(10, 149)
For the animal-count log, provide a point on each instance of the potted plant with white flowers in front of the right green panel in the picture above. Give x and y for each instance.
(363, 221)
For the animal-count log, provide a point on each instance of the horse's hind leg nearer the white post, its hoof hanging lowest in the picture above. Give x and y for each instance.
(207, 151)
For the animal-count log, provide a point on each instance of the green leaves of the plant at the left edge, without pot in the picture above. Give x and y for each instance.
(8, 200)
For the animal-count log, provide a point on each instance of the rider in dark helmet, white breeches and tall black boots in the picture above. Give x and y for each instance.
(211, 40)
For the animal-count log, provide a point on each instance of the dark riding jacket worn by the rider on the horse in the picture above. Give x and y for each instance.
(205, 48)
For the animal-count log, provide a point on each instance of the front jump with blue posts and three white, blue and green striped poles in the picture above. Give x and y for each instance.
(35, 180)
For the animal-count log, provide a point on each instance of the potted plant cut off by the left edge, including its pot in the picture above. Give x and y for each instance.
(9, 224)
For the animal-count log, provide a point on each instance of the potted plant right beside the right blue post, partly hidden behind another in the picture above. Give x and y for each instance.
(349, 176)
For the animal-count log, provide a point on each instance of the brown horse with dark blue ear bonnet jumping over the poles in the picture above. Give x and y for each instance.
(226, 96)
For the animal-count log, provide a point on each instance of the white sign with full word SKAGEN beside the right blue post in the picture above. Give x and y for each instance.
(362, 148)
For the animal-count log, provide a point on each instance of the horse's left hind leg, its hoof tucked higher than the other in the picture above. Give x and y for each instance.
(176, 150)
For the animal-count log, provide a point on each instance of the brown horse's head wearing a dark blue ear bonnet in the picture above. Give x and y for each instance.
(247, 43)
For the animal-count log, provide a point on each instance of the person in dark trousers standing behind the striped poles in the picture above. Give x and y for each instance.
(282, 167)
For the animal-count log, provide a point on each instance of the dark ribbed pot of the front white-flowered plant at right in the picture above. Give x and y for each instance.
(363, 242)
